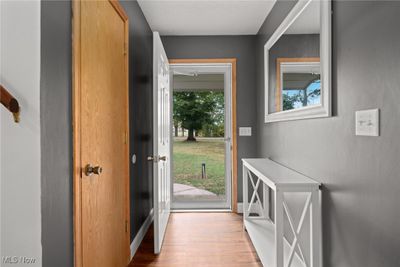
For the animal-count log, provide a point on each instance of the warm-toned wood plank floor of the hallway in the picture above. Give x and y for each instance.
(200, 239)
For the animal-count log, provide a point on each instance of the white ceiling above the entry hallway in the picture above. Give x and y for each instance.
(205, 17)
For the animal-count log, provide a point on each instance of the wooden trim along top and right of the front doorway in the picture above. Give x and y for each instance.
(231, 61)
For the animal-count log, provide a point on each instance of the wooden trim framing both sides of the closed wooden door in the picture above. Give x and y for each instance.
(76, 128)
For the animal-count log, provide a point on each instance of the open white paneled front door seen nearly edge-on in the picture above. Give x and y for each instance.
(162, 154)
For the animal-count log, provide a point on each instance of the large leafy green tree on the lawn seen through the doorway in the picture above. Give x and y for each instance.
(193, 110)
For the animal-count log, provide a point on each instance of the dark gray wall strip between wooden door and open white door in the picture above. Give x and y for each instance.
(141, 114)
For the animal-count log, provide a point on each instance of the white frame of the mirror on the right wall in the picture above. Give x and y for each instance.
(323, 109)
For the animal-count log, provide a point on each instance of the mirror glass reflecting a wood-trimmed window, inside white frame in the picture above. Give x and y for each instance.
(294, 64)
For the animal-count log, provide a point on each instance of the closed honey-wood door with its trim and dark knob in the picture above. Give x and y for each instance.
(101, 146)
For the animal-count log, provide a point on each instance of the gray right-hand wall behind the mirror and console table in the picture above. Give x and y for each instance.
(360, 174)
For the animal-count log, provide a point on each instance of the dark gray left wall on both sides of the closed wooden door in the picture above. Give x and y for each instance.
(56, 132)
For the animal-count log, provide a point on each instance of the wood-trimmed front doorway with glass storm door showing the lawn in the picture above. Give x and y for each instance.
(204, 139)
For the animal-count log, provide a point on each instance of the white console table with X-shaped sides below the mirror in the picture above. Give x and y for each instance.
(267, 235)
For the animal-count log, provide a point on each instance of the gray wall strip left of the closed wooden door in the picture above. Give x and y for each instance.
(55, 111)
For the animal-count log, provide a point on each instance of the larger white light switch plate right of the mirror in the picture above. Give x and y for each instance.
(367, 122)
